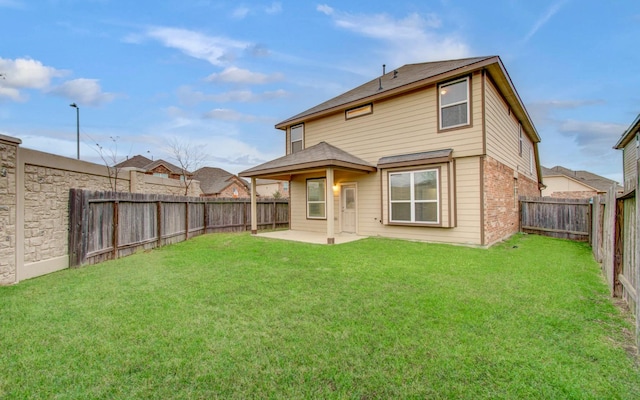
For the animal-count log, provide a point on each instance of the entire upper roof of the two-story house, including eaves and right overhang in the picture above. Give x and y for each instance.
(413, 76)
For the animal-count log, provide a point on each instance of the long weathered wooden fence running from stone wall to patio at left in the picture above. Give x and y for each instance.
(108, 225)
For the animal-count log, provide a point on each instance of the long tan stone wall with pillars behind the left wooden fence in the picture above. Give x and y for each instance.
(34, 205)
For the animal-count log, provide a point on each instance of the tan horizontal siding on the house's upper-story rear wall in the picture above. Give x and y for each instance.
(413, 117)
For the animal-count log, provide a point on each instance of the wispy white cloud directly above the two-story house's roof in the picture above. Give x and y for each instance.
(414, 38)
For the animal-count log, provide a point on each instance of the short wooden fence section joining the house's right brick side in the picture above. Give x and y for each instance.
(561, 218)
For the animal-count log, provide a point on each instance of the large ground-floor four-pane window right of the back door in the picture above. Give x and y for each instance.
(414, 196)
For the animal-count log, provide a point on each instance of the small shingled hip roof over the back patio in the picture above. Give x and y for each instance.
(321, 155)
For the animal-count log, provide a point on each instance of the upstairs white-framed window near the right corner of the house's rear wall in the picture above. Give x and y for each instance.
(454, 104)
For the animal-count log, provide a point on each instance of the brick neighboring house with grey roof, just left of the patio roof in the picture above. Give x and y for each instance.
(216, 182)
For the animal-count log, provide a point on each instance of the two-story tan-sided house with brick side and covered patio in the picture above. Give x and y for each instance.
(437, 151)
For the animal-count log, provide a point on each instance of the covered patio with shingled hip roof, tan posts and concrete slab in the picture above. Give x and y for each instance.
(321, 157)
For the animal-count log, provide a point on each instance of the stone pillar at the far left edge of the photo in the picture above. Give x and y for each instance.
(8, 203)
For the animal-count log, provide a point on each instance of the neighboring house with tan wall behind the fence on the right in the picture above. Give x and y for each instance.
(561, 182)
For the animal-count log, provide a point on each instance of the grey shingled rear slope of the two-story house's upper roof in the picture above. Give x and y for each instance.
(406, 75)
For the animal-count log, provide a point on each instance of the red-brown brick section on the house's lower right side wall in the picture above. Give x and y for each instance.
(501, 193)
